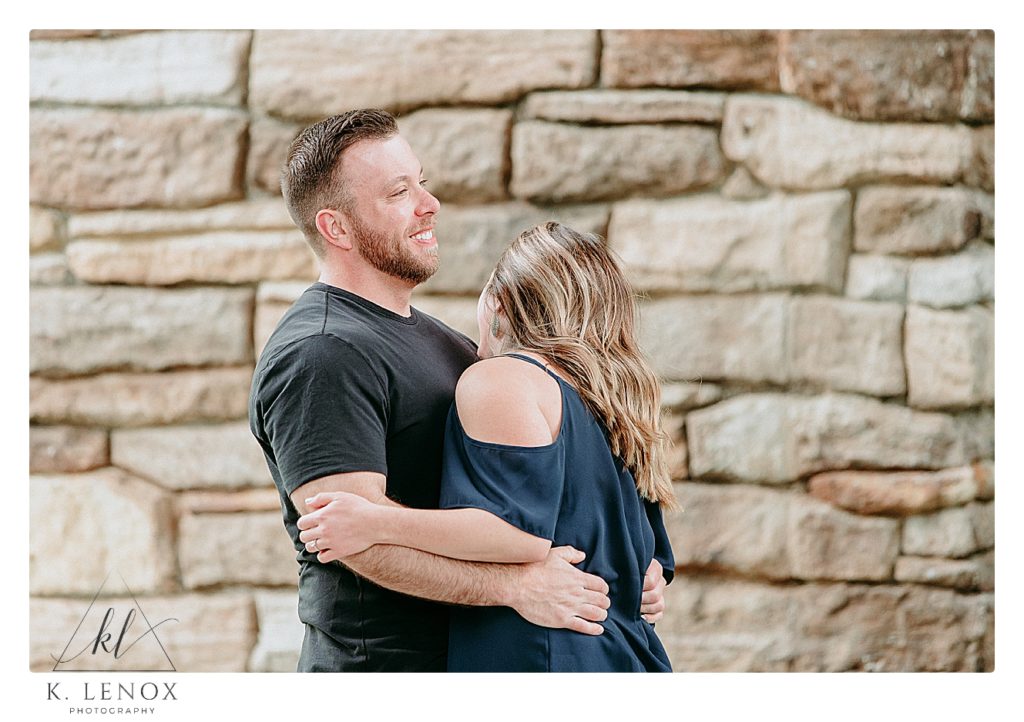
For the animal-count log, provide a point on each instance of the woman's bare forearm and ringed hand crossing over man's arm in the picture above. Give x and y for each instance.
(349, 525)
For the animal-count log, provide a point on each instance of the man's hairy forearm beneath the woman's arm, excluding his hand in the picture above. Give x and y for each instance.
(441, 579)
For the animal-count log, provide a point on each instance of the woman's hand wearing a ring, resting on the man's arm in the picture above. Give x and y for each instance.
(344, 525)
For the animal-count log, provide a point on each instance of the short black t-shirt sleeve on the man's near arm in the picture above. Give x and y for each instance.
(324, 411)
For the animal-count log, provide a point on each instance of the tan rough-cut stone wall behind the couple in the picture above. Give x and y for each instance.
(808, 215)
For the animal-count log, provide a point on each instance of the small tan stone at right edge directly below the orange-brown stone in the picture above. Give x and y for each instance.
(956, 533)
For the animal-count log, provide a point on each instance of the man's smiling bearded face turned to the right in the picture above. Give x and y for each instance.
(393, 215)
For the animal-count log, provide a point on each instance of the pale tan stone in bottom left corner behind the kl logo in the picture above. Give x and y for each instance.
(198, 633)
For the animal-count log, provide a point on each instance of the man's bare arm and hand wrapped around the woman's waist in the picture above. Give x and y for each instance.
(550, 593)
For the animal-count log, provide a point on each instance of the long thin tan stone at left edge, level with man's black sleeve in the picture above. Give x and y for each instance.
(140, 400)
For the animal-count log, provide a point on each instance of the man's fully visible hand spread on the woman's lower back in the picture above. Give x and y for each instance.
(553, 593)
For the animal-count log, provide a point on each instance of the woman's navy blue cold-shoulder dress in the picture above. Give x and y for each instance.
(574, 492)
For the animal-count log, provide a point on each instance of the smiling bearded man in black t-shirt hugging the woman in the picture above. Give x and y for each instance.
(351, 395)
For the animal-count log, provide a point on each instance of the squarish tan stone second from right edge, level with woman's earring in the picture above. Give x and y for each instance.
(847, 346)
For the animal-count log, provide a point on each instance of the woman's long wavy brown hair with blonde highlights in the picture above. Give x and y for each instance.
(567, 300)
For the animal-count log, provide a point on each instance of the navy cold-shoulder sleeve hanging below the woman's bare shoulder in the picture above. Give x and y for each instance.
(520, 485)
